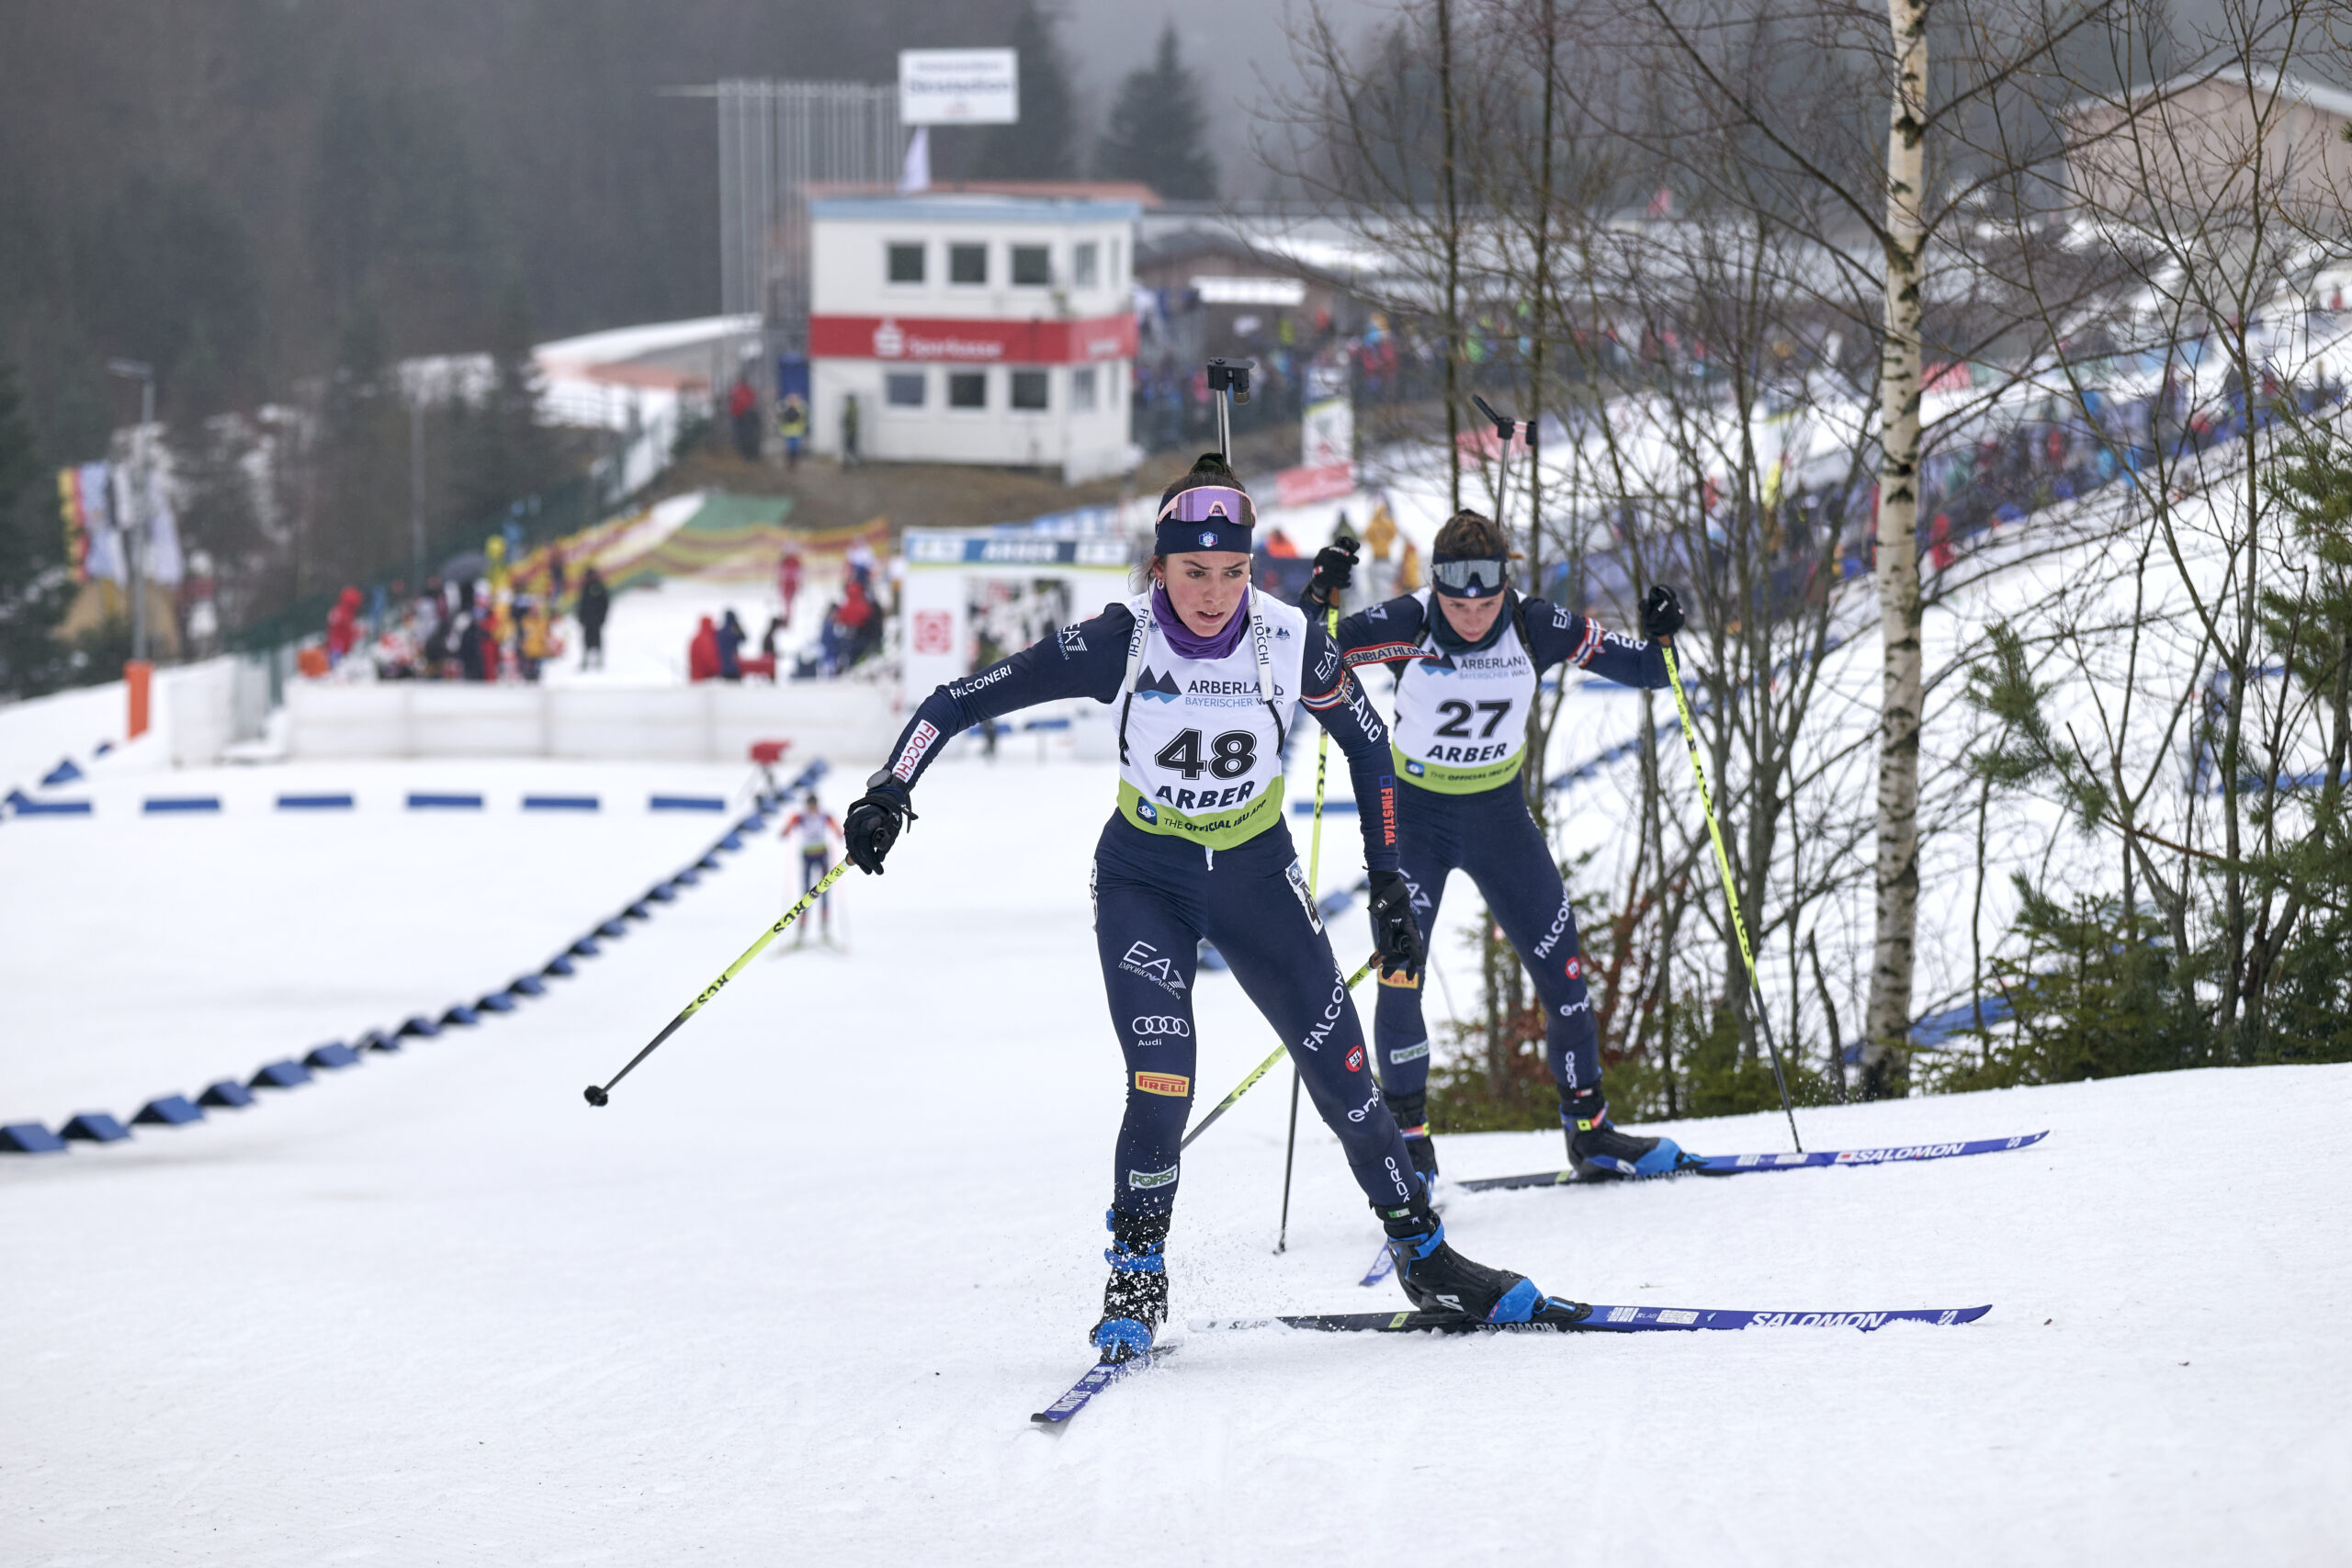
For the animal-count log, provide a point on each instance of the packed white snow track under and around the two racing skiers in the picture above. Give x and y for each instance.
(796, 1294)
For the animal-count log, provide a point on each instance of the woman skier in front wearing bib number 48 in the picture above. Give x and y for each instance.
(1208, 678)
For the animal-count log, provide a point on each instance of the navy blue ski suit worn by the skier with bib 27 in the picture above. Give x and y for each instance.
(1488, 831)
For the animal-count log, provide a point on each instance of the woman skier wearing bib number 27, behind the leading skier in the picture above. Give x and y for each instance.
(1469, 655)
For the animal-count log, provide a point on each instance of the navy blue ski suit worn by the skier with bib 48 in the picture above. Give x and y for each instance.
(1156, 897)
